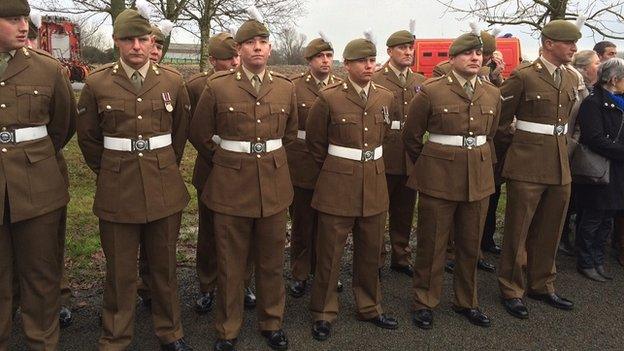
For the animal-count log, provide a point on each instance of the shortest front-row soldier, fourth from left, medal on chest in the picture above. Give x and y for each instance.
(344, 133)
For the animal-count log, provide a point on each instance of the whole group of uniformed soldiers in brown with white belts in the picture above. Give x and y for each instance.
(341, 154)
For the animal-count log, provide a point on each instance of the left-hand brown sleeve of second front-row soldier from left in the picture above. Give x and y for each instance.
(90, 137)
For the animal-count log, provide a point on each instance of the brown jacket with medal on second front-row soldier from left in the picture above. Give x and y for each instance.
(134, 187)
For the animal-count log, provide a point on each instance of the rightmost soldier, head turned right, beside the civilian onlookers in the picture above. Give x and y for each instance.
(541, 96)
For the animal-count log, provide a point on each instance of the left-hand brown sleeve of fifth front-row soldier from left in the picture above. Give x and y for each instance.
(415, 127)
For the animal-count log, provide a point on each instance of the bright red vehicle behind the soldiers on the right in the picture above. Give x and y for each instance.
(430, 52)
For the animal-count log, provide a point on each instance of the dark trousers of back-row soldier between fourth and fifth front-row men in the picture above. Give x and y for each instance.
(401, 215)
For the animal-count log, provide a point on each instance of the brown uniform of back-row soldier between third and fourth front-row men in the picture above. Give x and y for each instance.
(303, 172)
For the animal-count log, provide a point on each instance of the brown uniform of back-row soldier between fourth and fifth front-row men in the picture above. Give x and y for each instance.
(398, 165)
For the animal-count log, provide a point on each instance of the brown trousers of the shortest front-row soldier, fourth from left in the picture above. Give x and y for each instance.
(367, 241)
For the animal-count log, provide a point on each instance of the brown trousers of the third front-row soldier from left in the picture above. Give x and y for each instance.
(238, 239)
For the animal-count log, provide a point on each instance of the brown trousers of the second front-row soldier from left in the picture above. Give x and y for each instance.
(120, 242)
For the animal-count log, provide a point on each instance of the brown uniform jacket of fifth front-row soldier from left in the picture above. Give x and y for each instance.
(451, 172)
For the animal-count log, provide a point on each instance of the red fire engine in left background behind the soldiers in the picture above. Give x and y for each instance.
(61, 38)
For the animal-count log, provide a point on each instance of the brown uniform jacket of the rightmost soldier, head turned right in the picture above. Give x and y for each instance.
(530, 95)
